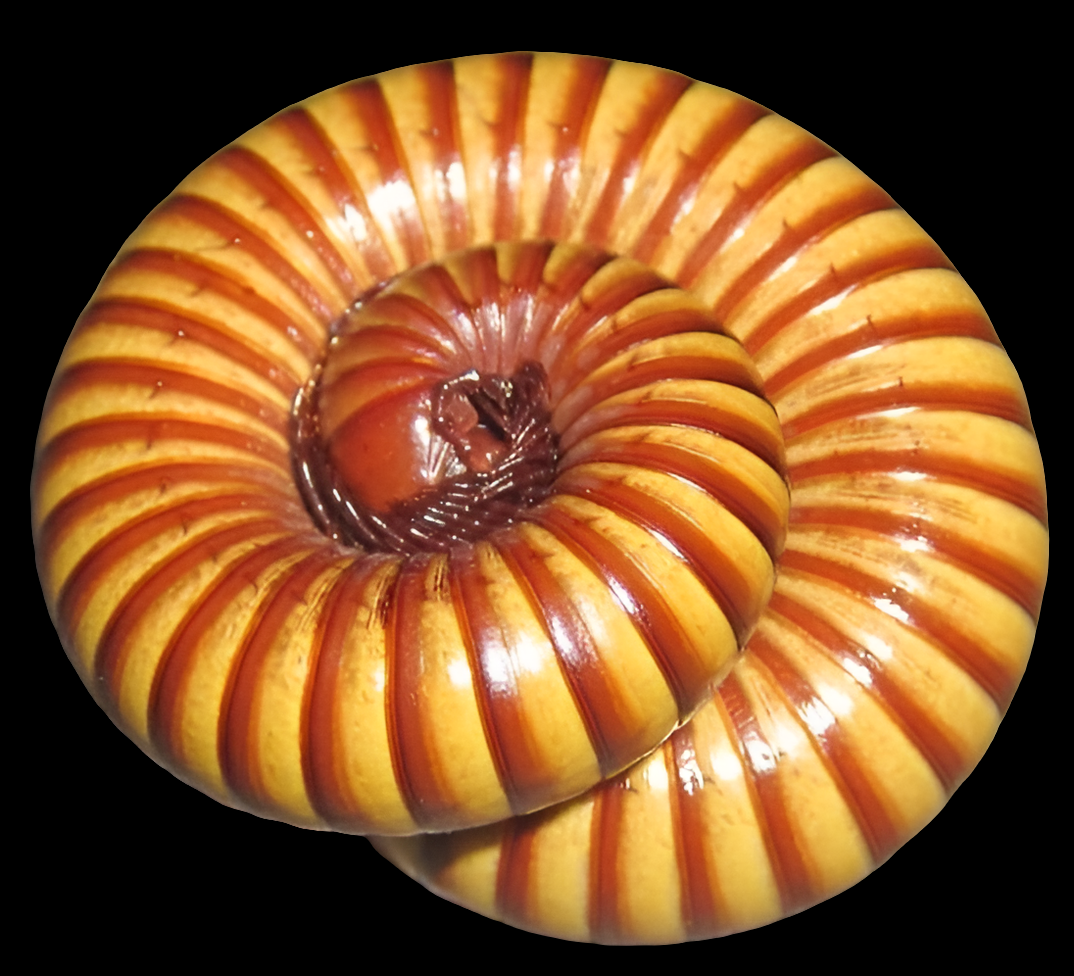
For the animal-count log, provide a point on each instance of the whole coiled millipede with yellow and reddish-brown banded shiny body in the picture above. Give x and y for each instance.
(466, 435)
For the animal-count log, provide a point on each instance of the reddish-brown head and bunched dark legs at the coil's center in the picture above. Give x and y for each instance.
(444, 465)
